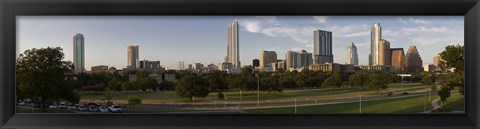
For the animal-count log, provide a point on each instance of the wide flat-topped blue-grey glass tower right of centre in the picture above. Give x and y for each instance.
(322, 47)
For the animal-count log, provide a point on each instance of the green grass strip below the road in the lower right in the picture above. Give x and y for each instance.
(398, 105)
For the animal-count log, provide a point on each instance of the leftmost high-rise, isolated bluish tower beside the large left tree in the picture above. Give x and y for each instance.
(79, 53)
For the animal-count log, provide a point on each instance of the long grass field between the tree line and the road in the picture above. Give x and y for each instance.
(303, 94)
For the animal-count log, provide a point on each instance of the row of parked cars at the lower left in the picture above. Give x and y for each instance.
(89, 107)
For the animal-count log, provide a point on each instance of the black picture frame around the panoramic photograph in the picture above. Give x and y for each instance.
(470, 9)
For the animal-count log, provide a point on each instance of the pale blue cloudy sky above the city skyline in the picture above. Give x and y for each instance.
(202, 39)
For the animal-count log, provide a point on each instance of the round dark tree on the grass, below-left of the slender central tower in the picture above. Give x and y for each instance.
(191, 86)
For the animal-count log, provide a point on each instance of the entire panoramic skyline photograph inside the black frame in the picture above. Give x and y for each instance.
(240, 64)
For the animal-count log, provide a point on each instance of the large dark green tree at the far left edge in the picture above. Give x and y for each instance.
(40, 75)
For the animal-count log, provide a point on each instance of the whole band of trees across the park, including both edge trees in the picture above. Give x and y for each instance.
(40, 76)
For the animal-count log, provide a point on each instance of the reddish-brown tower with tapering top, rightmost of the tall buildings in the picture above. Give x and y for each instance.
(413, 60)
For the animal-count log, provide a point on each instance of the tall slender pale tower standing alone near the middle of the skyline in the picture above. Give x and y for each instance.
(233, 55)
